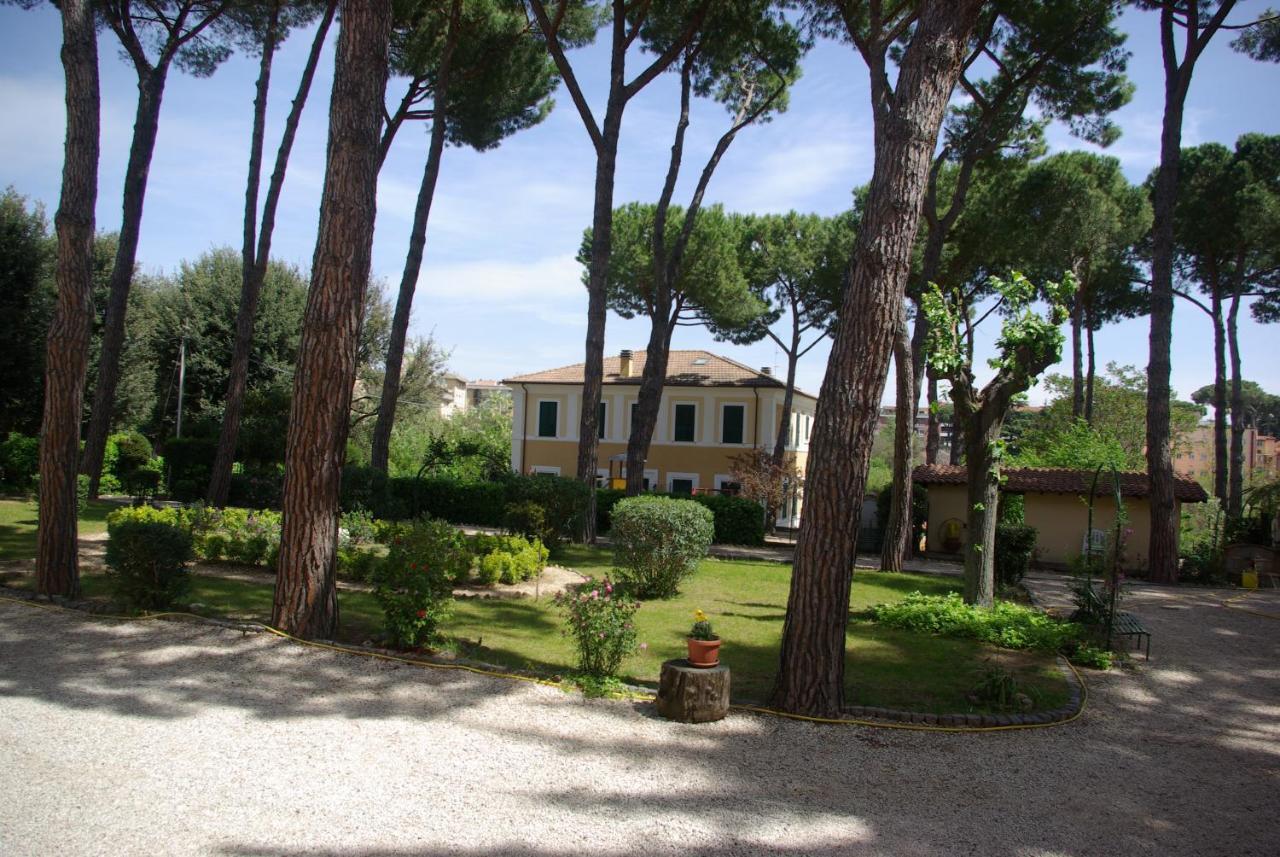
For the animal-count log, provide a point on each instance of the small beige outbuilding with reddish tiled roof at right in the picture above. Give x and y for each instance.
(1057, 505)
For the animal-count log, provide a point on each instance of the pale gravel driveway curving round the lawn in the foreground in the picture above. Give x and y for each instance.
(167, 739)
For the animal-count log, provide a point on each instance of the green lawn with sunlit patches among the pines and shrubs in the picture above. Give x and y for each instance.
(747, 603)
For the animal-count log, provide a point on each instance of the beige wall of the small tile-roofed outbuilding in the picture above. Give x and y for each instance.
(1060, 521)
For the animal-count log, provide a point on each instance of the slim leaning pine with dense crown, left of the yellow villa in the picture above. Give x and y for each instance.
(488, 77)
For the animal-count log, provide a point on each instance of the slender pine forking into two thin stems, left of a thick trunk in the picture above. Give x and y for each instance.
(269, 29)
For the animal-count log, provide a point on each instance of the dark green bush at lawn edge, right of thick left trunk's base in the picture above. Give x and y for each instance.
(414, 592)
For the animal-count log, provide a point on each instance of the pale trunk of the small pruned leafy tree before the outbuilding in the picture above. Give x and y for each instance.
(982, 432)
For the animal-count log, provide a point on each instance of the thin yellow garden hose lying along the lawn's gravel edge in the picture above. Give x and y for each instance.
(630, 695)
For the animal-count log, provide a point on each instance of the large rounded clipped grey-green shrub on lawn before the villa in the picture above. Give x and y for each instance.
(659, 542)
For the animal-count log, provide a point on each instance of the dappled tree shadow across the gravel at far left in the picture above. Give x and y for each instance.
(143, 670)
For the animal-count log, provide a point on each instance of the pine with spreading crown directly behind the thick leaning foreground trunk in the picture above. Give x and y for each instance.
(1067, 59)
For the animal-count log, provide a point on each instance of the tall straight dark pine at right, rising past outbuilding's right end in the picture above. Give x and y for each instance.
(1186, 30)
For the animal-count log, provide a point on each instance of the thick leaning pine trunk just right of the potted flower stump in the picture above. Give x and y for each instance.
(812, 667)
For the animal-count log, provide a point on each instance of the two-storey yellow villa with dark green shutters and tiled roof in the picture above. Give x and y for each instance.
(712, 410)
